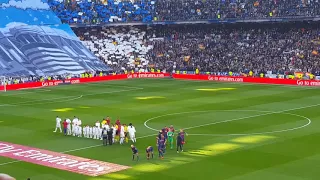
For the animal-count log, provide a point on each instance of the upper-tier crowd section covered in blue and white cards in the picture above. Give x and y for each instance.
(103, 11)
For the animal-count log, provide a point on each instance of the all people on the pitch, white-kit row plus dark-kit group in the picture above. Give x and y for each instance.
(111, 133)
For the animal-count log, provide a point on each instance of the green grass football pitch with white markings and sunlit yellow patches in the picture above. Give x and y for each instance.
(236, 131)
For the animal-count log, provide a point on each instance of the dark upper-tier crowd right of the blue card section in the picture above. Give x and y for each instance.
(224, 9)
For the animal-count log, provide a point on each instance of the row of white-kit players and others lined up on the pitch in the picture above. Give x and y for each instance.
(118, 132)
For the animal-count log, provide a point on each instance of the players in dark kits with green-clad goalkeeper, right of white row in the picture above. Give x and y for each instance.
(165, 135)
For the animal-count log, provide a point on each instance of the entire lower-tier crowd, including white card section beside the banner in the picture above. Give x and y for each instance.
(279, 48)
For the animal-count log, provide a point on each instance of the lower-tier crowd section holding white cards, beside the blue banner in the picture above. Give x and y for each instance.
(121, 48)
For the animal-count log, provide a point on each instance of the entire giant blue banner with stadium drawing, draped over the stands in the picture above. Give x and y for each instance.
(34, 42)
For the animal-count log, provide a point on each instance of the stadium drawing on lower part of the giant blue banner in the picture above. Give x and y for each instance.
(44, 50)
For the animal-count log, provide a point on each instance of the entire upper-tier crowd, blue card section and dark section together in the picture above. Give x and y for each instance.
(108, 11)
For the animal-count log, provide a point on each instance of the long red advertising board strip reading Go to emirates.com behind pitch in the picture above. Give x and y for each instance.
(236, 79)
